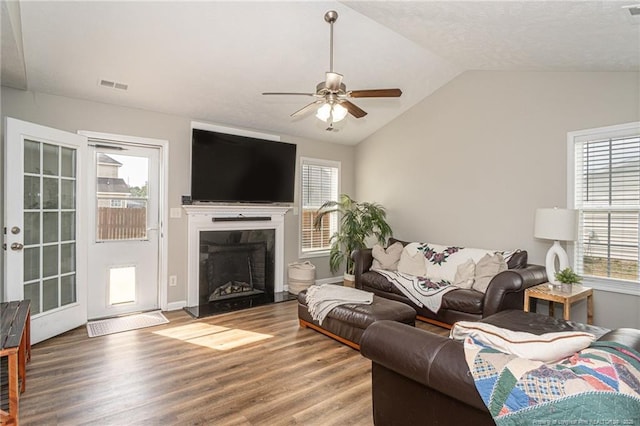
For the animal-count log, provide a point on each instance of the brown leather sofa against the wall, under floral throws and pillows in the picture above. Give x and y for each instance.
(505, 291)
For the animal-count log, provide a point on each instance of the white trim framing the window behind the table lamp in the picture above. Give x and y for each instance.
(620, 130)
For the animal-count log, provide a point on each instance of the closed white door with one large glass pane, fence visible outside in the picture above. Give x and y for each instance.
(124, 226)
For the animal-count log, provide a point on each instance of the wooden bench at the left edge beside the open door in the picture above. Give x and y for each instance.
(15, 344)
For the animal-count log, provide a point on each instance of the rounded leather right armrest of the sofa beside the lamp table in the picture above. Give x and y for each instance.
(506, 290)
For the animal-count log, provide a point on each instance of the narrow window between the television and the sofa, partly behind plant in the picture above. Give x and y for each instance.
(319, 184)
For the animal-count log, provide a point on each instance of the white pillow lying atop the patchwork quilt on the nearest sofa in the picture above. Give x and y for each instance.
(546, 347)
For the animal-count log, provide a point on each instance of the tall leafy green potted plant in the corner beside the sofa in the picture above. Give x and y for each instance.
(358, 221)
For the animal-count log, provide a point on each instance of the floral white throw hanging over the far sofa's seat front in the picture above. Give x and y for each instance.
(419, 290)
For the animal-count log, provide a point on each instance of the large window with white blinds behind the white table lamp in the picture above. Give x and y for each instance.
(606, 192)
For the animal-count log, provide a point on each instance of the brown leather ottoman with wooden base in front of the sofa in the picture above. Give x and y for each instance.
(347, 323)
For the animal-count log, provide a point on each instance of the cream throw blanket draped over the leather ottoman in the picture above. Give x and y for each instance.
(321, 299)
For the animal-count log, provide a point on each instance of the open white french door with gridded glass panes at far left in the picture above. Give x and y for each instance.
(45, 238)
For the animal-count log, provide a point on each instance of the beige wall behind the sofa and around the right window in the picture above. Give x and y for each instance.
(470, 164)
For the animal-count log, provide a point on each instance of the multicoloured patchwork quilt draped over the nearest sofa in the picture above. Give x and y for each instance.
(599, 385)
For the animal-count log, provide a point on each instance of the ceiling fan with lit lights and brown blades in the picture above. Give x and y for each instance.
(332, 103)
